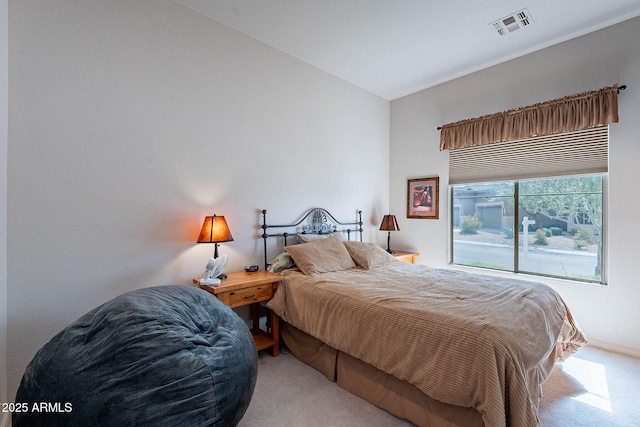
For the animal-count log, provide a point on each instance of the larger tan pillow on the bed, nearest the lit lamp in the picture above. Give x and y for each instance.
(321, 256)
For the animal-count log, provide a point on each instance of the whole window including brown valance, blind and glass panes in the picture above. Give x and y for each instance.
(527, 186)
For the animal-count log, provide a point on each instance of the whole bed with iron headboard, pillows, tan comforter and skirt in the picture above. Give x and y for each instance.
(437, 347)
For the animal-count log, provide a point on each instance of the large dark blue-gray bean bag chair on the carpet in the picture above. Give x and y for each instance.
(160, 356)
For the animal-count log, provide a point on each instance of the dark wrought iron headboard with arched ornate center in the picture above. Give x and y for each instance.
(317, 221)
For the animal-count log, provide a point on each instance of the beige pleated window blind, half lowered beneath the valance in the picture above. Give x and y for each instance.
(569, 153)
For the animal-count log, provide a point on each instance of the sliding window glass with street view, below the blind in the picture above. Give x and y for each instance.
(546, 226)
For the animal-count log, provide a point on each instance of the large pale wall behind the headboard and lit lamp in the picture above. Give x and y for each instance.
(131, 121)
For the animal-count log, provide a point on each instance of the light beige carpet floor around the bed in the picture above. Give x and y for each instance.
(593, 388)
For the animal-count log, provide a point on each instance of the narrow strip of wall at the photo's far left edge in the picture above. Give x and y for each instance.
(4, 55)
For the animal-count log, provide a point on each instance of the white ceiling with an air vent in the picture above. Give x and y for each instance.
(393, 48)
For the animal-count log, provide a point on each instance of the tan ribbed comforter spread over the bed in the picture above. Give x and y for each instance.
(468, 340)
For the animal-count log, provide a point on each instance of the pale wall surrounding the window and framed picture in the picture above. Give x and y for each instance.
(608, 315)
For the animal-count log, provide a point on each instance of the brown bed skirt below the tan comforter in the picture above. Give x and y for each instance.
(398, 397)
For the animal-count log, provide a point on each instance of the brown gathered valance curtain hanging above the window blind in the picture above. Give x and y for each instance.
(572, 113)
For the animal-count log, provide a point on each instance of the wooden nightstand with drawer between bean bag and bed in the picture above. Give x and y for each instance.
(242, 288)
